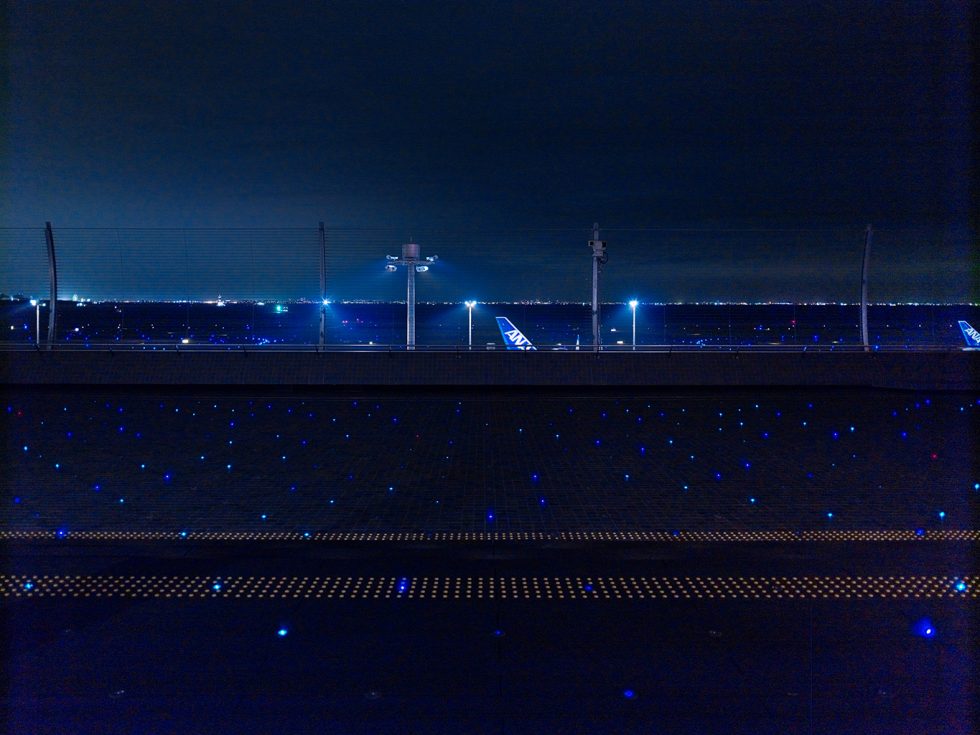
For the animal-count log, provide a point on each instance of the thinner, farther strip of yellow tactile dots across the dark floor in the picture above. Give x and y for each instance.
(478, 536)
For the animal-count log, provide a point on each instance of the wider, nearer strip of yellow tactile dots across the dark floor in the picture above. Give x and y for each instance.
(456, 588)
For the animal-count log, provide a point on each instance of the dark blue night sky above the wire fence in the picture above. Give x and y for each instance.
(498, 117)
